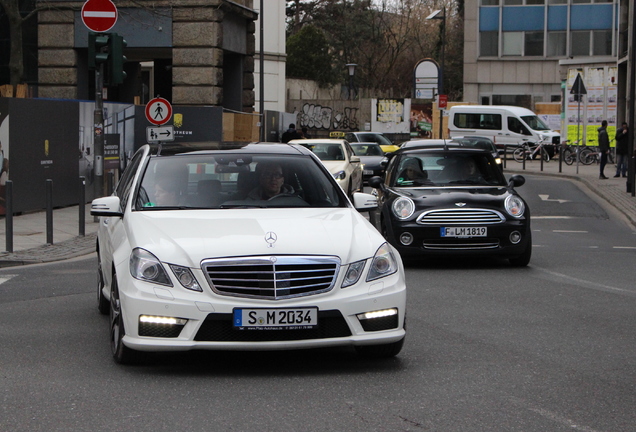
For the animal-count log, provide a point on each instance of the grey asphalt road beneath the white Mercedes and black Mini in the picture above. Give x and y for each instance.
(550, 347)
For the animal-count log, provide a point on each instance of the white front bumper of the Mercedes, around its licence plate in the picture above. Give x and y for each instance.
(207, 316)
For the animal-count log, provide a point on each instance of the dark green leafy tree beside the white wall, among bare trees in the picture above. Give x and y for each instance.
(308, 56)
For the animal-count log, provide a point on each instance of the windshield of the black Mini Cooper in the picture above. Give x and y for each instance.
(446, 169)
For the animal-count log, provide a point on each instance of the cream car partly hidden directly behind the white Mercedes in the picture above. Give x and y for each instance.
(340, 159)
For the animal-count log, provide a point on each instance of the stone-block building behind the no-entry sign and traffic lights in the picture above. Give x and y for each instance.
(189, 52)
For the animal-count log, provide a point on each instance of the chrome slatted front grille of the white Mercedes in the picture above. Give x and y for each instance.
(271, 277)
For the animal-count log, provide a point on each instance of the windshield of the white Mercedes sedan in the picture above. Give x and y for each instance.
(220, 181)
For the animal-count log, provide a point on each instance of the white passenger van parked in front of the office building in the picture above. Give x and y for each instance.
(505, 125)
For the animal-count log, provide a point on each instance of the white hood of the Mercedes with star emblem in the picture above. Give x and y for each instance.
(190, 236)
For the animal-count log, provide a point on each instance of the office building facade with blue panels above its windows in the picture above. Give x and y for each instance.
(519, 52)
